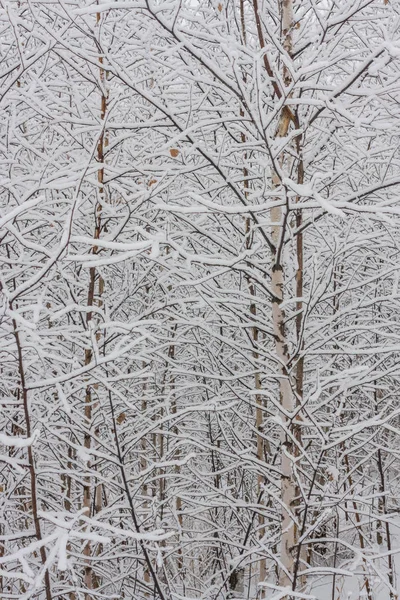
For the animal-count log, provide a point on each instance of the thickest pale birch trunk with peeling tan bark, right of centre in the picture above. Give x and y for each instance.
(287, 393)
